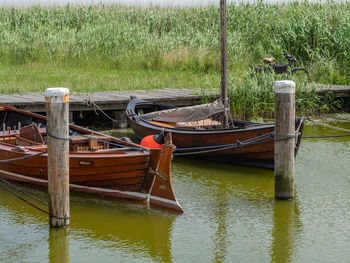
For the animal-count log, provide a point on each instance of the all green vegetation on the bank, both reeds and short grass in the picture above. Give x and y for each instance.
(115, 47)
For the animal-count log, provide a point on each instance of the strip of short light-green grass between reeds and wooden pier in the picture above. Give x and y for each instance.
(36, 77)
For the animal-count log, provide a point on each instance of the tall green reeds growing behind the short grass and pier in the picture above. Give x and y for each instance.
(185, 39)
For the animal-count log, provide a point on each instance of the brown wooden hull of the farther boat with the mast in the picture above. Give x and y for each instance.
(252, 145)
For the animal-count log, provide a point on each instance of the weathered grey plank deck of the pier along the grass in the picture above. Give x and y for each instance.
(118, 100)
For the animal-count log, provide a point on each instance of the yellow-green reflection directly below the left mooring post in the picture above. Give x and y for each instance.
(59, 245)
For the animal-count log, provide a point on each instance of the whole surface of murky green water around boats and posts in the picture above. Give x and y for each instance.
(231, 216)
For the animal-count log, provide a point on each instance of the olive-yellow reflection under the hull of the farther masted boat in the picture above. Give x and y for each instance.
(245, 182)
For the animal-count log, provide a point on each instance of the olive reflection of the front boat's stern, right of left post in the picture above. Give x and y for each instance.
(125, 225)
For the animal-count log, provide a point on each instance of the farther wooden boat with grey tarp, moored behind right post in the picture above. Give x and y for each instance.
(196, 131)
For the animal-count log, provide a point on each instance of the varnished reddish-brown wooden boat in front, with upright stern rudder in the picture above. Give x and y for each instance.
(99, 163)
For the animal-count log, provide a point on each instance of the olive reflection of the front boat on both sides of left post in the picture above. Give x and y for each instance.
(125, 227)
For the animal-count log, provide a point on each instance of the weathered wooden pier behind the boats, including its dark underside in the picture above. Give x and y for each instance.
(115, 102)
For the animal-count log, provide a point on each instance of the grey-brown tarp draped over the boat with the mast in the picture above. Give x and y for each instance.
(186, 114)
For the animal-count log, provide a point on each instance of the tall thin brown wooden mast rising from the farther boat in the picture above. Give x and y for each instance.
(224, 96)
